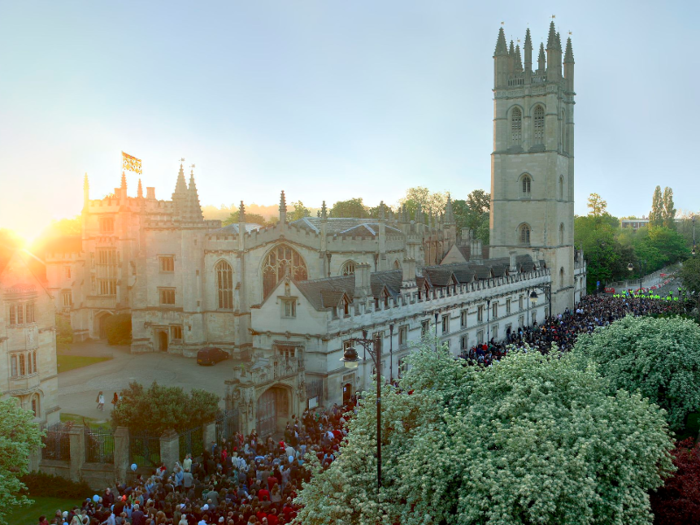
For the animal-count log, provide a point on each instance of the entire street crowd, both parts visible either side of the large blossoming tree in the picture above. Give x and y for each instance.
(253, 481)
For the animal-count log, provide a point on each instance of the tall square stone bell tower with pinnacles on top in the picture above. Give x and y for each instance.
(532, 164)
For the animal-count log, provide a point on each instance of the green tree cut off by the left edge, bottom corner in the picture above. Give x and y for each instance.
(19, 435)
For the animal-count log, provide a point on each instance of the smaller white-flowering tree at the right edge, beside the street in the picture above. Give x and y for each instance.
(659, 358)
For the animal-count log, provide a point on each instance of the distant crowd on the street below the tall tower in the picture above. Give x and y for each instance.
(562, 330)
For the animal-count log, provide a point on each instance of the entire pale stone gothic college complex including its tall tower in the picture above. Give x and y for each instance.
(284, 300)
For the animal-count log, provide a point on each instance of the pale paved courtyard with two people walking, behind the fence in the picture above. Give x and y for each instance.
(77, 389)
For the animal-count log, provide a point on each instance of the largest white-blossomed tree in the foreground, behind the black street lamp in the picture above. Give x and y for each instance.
(533, 439)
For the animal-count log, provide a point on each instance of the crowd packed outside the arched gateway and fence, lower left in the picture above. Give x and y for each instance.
(242, 481)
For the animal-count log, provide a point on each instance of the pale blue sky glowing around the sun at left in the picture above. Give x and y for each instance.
(326, 99)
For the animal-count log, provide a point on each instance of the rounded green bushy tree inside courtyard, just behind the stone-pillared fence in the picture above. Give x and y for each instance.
(163, 408)
